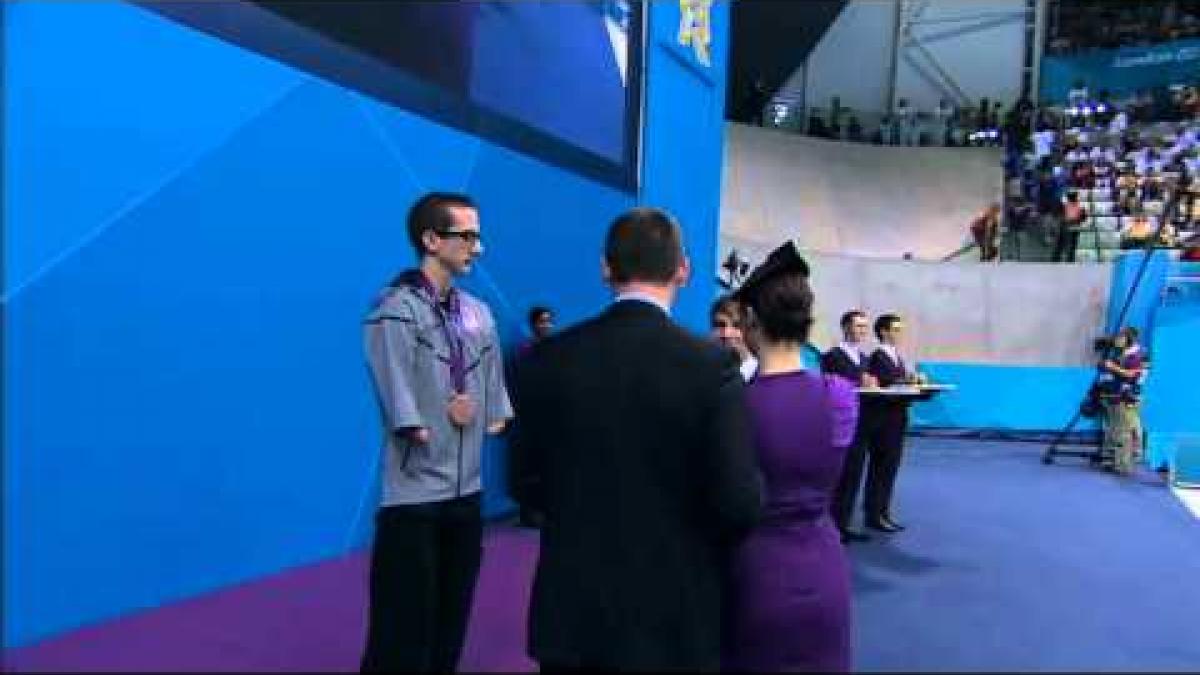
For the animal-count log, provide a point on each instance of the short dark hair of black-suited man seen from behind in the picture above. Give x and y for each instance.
(644, 244)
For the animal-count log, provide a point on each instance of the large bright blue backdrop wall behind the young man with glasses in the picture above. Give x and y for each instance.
(188, 260)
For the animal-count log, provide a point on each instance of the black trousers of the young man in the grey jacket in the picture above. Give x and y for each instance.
(424, 568)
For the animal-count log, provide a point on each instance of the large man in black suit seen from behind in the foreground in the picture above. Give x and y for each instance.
(639, 434)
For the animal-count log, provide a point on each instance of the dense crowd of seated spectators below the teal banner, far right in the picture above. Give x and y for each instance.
(1109, 169)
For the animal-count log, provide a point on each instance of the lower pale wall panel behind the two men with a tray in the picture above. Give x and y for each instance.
(1015, 314)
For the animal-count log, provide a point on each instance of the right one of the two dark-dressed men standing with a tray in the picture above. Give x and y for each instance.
(886, 440)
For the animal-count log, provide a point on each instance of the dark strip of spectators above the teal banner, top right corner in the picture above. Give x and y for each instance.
(1082, 26)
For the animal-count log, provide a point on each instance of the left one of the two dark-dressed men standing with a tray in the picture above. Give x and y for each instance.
(849, 361)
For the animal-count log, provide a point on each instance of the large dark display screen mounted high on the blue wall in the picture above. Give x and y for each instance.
(561, 81)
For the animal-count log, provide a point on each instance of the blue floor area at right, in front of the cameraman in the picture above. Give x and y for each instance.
(1010, 565)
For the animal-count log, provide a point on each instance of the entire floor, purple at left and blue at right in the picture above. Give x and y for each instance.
(1007, 565)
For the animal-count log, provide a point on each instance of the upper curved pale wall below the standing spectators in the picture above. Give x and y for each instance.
(854, 199)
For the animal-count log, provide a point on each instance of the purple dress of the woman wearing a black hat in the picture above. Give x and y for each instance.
(789, 600)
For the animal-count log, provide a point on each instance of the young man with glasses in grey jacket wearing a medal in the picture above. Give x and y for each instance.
(436, 362)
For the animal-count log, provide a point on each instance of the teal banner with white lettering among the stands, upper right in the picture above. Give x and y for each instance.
(1121, 71)
